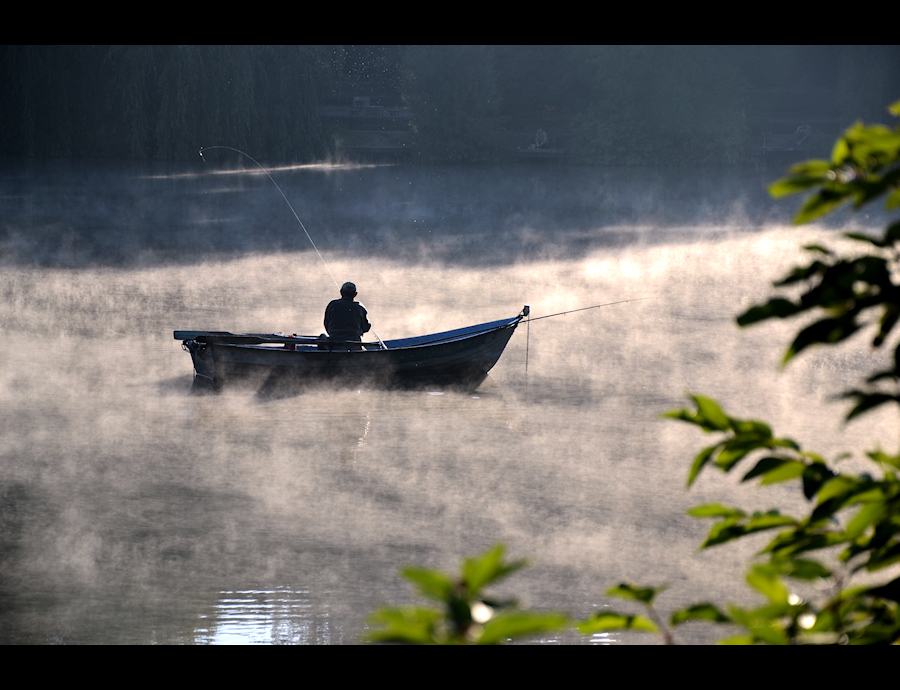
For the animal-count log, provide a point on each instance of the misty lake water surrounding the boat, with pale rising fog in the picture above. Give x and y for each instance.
(132, 511)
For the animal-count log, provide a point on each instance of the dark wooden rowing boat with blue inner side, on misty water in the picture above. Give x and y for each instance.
(459, 359)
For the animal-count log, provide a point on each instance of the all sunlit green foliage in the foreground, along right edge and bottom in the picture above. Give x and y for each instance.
(852, 527)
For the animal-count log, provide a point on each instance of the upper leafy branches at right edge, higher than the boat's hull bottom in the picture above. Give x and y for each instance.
(847, 293)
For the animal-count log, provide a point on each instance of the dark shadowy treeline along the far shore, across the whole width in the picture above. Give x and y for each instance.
(599, 104)
